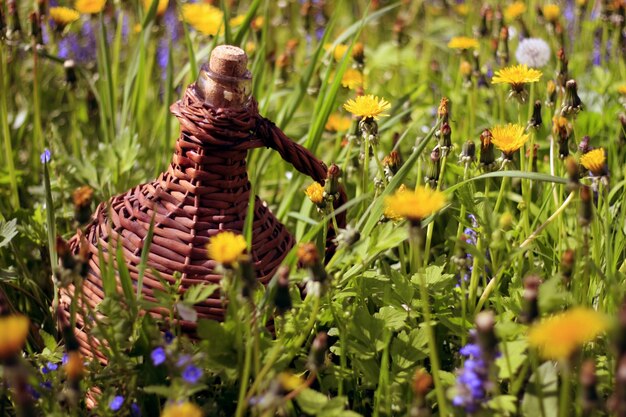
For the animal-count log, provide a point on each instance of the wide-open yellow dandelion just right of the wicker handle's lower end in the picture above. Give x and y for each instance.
(414, 205)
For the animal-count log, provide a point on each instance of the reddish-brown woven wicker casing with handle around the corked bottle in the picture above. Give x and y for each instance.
(204, 191)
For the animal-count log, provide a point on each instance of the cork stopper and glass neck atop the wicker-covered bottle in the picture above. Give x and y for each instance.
(225, 81)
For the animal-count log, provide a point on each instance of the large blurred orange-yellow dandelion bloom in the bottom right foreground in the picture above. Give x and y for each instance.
(558, 337)
